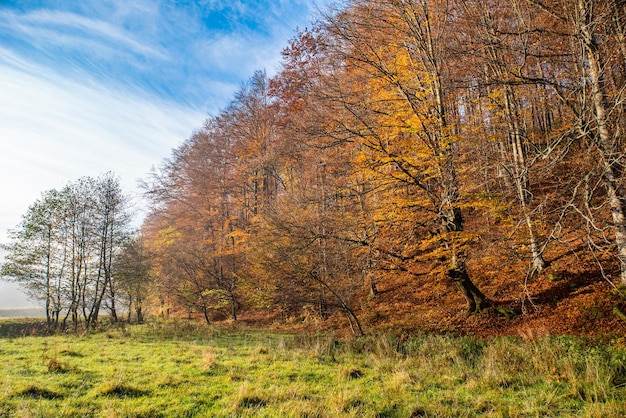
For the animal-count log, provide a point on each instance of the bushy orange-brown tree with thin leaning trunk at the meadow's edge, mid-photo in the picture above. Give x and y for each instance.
(301, 248)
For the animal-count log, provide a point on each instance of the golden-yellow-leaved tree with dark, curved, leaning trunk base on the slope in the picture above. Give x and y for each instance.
(393, 91)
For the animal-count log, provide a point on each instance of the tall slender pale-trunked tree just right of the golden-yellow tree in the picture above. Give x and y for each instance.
(497, 43)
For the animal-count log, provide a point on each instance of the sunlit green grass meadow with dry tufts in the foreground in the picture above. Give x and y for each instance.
(178, 369)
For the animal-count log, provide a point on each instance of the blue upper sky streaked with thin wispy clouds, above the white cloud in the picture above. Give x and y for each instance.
(168, 48)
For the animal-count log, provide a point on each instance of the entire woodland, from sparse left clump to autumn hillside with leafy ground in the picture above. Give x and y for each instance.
(416, 164)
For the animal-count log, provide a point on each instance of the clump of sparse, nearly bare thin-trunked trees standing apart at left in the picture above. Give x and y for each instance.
(68, 252)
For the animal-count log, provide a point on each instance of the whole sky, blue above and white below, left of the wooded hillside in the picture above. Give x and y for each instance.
(92, 86)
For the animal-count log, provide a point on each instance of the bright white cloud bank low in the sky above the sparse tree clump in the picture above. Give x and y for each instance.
(54, 130)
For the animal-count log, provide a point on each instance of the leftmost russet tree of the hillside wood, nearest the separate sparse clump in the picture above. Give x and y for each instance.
(191, 235)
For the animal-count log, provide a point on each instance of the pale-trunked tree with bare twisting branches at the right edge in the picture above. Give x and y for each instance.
(590, 84)
